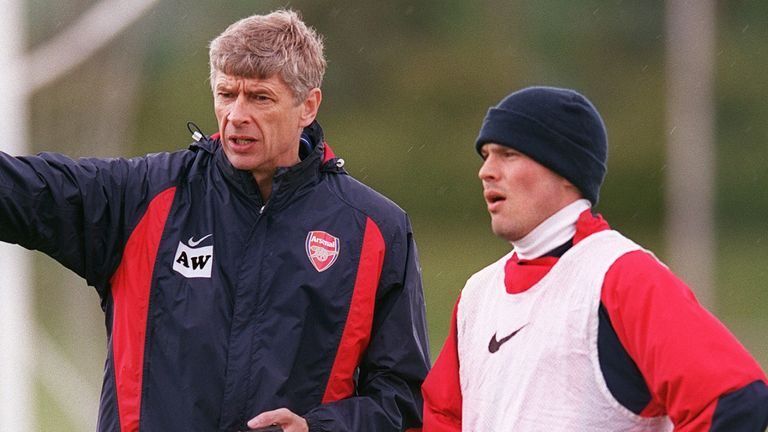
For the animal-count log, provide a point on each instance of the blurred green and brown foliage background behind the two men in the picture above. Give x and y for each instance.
(407, 86)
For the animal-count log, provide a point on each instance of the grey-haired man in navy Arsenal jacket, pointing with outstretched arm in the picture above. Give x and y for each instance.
(247, 281)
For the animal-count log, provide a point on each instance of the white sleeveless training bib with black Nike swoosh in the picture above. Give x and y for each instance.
(544, 373)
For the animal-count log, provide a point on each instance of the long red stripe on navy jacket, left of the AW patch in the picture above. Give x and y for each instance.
(130, 293)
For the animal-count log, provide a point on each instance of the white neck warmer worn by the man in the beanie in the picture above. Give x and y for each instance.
(553, 232)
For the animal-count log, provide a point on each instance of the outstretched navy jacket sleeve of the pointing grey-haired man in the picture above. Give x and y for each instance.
(77, 212)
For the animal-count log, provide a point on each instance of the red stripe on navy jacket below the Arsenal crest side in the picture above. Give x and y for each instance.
(357, 330)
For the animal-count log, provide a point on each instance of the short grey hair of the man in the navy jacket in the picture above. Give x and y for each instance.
(261, 46)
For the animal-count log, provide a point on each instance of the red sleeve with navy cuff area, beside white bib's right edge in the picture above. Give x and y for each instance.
(696, 371)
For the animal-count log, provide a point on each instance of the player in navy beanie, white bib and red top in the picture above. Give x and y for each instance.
(578, 328)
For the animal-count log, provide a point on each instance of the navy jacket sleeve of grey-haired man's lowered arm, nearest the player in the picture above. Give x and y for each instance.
(392, 368)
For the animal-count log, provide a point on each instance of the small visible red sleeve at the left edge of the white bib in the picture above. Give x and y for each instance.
(442, 388)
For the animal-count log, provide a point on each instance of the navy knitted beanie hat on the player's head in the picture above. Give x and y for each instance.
(558, 128)
